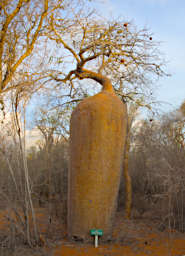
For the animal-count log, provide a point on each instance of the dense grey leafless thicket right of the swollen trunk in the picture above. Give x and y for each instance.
(156, 167)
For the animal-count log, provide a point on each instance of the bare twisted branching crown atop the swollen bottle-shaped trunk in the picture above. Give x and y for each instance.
(111, 53)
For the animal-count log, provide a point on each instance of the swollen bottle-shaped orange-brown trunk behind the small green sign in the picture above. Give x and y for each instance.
(98, 128)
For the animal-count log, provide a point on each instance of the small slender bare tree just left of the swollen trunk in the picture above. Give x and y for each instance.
(52, 129)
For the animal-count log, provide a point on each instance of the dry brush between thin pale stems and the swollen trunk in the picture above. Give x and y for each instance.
(50, 194)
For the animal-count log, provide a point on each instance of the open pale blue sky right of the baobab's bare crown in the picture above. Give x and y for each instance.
(166, 20)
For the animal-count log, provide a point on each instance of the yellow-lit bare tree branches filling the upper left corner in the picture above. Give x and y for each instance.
(23, 42)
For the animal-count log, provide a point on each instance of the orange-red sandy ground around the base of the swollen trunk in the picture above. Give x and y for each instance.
(136, 237)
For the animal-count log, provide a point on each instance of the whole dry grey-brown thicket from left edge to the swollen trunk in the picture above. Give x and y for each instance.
(16, 211)
